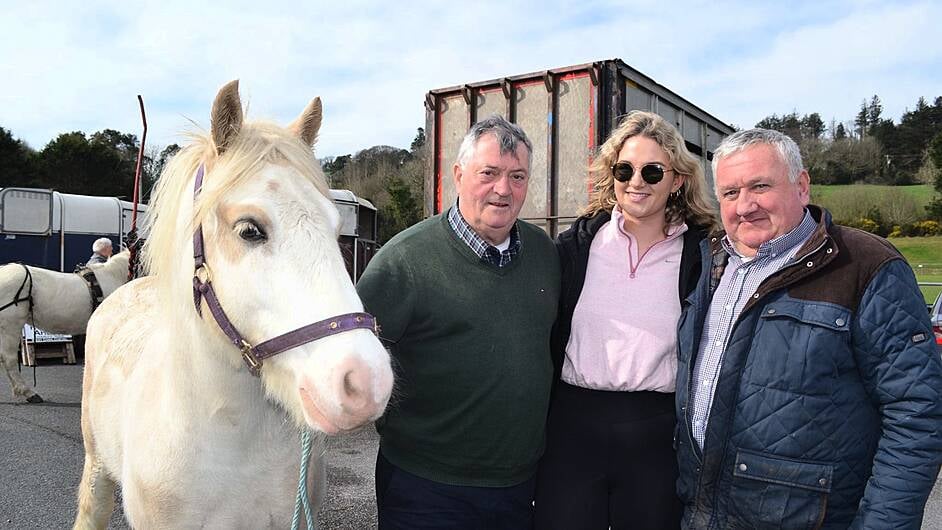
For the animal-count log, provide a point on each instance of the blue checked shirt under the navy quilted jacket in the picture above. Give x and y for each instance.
(739, 282)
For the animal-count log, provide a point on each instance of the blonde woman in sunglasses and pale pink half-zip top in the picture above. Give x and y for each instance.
(627, 264)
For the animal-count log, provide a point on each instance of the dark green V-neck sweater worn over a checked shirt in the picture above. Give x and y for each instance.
(471, 353)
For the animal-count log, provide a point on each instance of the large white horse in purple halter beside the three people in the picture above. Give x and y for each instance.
(169, 410)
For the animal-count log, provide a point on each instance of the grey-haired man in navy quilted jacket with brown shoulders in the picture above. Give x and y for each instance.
(808, 392)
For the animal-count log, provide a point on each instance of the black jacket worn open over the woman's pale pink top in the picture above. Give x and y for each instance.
(573, 248)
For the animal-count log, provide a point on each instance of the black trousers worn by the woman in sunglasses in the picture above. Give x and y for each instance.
(609, 462)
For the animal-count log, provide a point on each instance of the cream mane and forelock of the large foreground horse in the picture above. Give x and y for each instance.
(256, 144)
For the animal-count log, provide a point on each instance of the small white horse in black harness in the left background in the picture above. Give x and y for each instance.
(61, 303)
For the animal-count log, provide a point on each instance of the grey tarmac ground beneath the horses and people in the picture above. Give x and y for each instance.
(41, 463)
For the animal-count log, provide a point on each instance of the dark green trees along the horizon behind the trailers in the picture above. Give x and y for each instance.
(869, 149)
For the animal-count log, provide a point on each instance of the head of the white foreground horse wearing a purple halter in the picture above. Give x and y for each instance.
(271, 252)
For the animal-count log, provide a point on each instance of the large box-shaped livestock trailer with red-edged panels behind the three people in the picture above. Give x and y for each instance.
(567, 113)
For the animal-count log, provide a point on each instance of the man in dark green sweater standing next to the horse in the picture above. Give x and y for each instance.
(465, 301)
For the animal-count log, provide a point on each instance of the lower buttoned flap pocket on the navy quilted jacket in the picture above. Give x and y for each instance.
(775, 492)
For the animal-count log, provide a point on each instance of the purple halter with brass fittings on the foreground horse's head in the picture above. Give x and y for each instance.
(253, 355)
